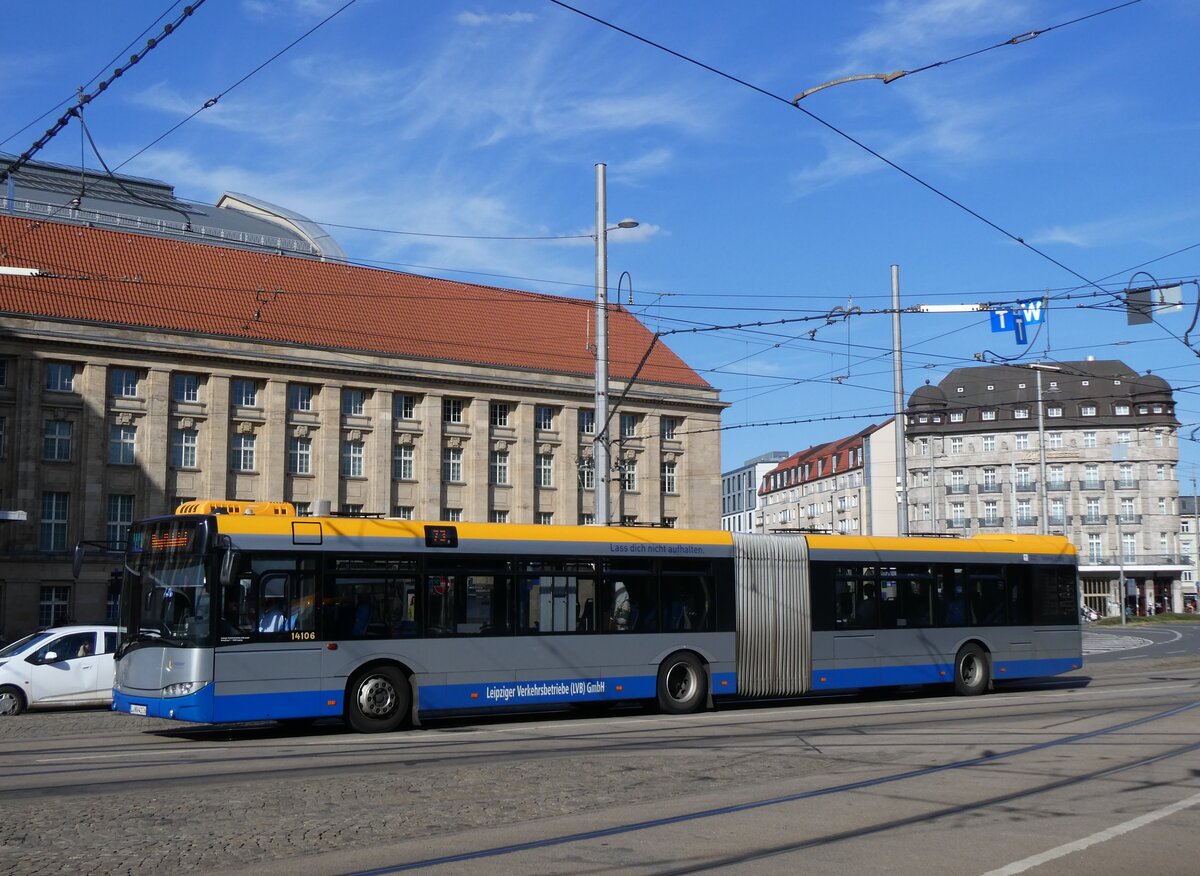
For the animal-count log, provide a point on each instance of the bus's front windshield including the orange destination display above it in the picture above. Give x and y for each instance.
(166, 592)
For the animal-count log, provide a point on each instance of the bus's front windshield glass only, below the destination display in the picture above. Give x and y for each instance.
(167, 599)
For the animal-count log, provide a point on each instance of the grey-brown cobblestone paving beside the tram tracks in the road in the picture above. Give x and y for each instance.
(229, 825)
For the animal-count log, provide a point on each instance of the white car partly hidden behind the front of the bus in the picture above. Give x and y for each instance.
(62, 667)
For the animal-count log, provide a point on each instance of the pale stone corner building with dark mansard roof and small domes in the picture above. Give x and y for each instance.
(1087, 449)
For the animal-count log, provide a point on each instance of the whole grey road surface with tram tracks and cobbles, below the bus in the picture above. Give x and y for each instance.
(1093, 773)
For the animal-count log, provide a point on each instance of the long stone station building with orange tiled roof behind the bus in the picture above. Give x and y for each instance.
(155, 351)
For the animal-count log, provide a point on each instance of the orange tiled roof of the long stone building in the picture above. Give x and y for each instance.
(133, 280)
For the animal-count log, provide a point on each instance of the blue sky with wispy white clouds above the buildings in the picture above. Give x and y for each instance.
(483, 122)
